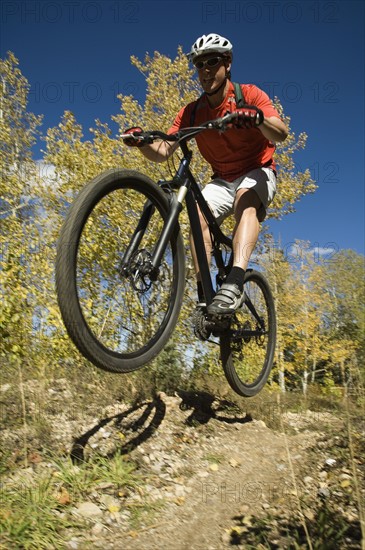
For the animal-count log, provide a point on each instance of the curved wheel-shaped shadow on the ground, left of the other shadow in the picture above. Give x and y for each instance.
(77, 453)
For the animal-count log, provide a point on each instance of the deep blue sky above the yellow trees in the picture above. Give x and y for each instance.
(76, 56)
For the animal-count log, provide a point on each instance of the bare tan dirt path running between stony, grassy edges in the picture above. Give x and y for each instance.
(224, 468)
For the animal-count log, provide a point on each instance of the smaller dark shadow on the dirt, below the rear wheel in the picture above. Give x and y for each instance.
(205, 406)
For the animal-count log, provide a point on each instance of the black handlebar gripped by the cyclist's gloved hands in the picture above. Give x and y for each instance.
(186, 133)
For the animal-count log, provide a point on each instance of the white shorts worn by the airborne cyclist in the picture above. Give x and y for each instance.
(220, 194)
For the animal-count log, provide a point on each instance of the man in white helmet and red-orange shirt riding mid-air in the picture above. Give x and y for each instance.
(244, 177)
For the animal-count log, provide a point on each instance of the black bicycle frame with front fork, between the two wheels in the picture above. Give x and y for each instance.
(188, 190)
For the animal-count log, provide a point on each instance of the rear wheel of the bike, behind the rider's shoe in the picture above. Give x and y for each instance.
(248, 345)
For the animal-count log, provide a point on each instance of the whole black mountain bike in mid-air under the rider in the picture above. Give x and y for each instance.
(120, 273)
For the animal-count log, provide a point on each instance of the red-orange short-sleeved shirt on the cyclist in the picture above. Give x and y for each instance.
(237, 150)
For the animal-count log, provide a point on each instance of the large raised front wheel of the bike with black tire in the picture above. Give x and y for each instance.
(117, 310)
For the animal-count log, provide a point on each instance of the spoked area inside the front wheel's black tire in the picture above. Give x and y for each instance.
(123, 310)
